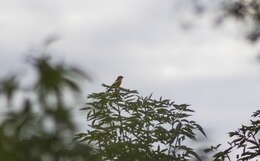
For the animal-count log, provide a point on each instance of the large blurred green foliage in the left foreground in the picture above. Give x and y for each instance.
(40, 126)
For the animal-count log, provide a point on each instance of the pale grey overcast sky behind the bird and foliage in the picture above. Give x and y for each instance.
(160, 47)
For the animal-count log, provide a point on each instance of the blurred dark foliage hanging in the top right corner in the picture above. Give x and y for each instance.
(247, 11)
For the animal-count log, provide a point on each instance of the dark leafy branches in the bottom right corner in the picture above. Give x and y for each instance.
(246, 140)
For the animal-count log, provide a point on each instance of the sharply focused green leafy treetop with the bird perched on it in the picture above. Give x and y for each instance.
(125, 126)
